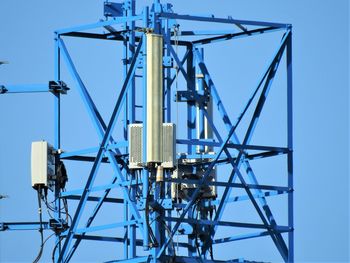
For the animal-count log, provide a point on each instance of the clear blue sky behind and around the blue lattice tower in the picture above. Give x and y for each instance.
(321, 109)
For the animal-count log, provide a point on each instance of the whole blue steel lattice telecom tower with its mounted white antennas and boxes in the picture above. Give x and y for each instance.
(165, 193)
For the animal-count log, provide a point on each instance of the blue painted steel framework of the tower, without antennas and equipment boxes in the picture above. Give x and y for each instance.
(157, 19)
